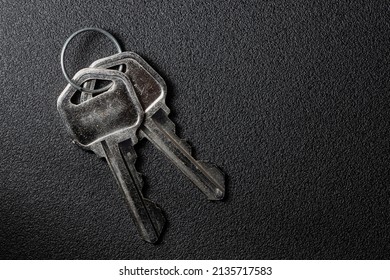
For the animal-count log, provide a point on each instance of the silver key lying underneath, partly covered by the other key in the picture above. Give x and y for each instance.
(158, 128)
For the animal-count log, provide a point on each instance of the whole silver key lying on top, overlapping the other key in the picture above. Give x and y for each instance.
(107, 125)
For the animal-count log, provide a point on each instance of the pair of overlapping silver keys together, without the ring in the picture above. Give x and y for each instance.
(111, 123)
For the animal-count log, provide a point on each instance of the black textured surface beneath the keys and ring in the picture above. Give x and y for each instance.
(290, 99)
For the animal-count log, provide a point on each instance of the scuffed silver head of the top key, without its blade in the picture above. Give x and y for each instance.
(113, 116)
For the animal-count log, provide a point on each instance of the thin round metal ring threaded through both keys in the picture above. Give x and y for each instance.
(108, 35)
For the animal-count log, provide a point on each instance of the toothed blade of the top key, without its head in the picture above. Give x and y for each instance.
(146, 215)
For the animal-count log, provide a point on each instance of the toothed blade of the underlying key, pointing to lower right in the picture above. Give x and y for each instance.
(206, 176)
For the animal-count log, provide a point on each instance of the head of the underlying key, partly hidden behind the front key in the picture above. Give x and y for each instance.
(149, 86)
